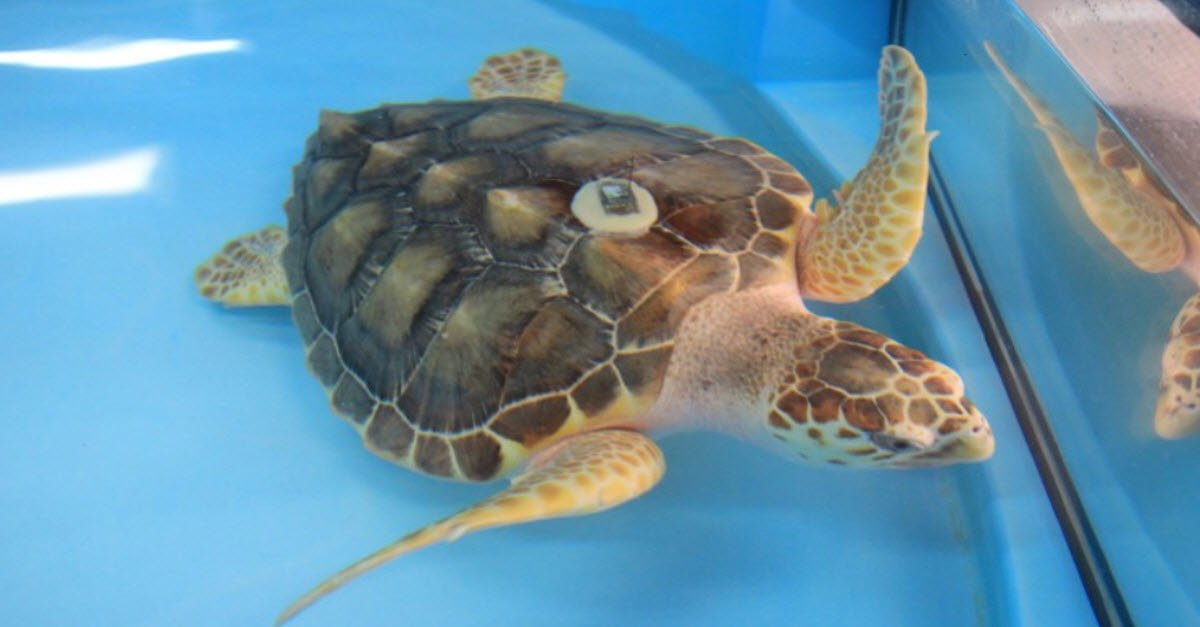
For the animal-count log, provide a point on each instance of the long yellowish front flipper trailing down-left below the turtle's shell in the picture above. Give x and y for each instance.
(584, 475)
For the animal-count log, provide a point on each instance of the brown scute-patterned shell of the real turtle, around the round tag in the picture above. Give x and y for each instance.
(457, 312)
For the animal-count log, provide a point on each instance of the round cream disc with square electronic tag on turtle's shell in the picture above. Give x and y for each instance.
(615, 207)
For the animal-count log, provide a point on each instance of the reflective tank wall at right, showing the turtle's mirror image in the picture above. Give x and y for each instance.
(1088, 260)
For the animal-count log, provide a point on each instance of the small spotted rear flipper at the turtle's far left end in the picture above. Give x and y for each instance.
(248, 271)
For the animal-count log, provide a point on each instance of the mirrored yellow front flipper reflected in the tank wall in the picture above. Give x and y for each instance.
(1141, 225)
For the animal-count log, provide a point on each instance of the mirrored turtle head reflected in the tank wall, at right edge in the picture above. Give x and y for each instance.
(1179, 399)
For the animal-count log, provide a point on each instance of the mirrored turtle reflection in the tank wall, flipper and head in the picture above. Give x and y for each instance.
(1142, 222)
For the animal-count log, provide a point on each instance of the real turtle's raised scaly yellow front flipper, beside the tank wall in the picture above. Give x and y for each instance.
(868, 237)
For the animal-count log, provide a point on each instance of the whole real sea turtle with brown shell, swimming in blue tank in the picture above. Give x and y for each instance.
(517, 286)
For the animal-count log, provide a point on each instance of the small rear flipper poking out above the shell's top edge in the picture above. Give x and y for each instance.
(527, 73)
